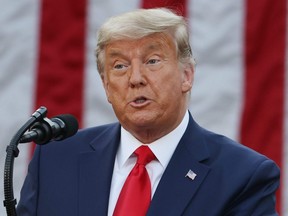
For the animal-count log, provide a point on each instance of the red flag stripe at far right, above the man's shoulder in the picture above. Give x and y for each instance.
(263, 112)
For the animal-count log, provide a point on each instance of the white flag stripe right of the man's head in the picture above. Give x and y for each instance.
(217, 44)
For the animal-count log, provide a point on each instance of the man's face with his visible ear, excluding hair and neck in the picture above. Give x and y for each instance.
(145, 83)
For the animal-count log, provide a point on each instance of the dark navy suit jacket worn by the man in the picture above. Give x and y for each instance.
(72, 177)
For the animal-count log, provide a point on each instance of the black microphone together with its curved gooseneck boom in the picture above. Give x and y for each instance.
(40, 130)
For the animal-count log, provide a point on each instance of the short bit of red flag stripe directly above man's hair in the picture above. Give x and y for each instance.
(177, 5)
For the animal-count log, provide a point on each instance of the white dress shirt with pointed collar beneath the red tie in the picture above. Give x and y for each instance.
(162, 148)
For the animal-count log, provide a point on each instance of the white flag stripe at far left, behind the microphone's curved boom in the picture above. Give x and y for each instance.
(18, 21)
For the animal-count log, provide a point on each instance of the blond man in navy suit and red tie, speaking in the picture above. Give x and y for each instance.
(146, 65)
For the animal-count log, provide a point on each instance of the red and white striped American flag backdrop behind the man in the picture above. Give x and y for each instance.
(240, 89)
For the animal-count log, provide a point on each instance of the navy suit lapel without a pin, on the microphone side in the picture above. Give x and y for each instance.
(95, 173)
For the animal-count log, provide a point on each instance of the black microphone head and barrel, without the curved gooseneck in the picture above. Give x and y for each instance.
(57, 128)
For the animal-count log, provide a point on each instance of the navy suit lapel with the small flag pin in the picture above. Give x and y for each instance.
(174, 188)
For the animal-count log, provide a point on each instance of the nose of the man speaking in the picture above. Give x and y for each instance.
(137, 76)
